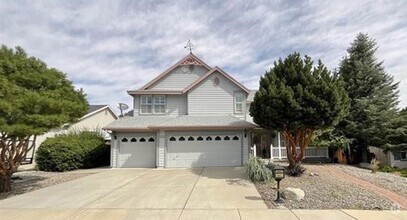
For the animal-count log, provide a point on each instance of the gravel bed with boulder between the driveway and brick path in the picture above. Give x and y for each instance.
(325, 191)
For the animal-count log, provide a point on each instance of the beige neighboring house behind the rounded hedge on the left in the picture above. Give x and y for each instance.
(95, 119)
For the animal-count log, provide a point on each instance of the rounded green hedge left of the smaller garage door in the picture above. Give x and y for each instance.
(72, 151)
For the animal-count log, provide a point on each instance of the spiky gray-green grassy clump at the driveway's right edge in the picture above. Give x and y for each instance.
(257, 171)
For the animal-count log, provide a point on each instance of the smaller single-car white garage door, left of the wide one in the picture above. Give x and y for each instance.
(137, 150)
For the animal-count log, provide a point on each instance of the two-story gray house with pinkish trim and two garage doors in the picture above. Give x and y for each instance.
(191, 115)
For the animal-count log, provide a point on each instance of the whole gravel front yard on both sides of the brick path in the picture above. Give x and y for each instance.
(324, 190)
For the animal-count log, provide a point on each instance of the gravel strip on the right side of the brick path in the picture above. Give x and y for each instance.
(388, 181)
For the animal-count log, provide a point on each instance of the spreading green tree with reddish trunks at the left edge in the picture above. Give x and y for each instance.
(33, 99)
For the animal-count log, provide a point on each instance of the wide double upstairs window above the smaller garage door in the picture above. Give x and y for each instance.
(150, 104)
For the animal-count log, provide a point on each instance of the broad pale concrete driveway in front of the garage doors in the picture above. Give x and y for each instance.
(141, 194)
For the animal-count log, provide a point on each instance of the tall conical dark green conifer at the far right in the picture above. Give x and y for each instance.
(373, 96)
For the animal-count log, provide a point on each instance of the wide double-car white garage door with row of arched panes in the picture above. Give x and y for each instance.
(204, 149)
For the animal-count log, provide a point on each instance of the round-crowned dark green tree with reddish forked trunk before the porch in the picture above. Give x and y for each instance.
(297, 99)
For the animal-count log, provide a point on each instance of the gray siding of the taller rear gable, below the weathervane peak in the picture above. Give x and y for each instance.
(179, 78)
